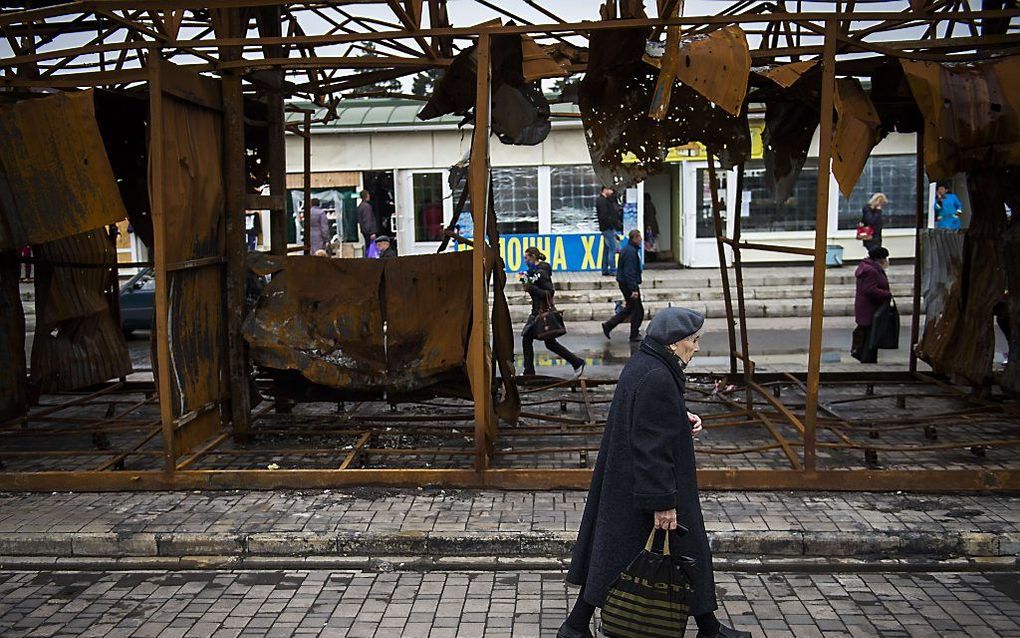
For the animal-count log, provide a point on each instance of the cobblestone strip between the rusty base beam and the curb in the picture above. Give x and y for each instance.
(437, 511)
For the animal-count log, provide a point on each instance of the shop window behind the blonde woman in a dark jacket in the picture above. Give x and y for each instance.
(893, 175)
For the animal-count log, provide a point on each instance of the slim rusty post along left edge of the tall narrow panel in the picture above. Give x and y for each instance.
(162, 367)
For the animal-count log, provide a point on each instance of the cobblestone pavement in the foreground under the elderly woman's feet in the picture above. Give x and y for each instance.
(476, 605)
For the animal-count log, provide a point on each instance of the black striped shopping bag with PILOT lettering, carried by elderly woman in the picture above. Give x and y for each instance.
(650, 600)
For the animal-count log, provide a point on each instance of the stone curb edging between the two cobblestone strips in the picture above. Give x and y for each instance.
(509, 546)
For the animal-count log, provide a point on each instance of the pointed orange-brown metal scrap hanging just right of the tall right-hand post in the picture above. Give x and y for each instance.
(858, 130)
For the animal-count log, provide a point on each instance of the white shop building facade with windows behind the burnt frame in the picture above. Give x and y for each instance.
(550, 189)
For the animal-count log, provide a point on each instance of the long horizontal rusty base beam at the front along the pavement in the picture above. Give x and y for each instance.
(925, 481)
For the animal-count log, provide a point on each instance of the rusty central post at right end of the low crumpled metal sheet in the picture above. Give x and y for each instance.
(479, 367)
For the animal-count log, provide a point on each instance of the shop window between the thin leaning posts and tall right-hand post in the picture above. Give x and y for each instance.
(761, 213)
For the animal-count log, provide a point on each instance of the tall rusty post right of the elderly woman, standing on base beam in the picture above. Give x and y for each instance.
(822, 237)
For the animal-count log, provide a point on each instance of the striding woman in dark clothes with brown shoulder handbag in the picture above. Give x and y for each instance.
(545, 323)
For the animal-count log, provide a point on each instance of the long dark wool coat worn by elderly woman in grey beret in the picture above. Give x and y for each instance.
(646, 464)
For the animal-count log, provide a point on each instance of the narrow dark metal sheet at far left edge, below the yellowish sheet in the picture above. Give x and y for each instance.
(14, 383)
